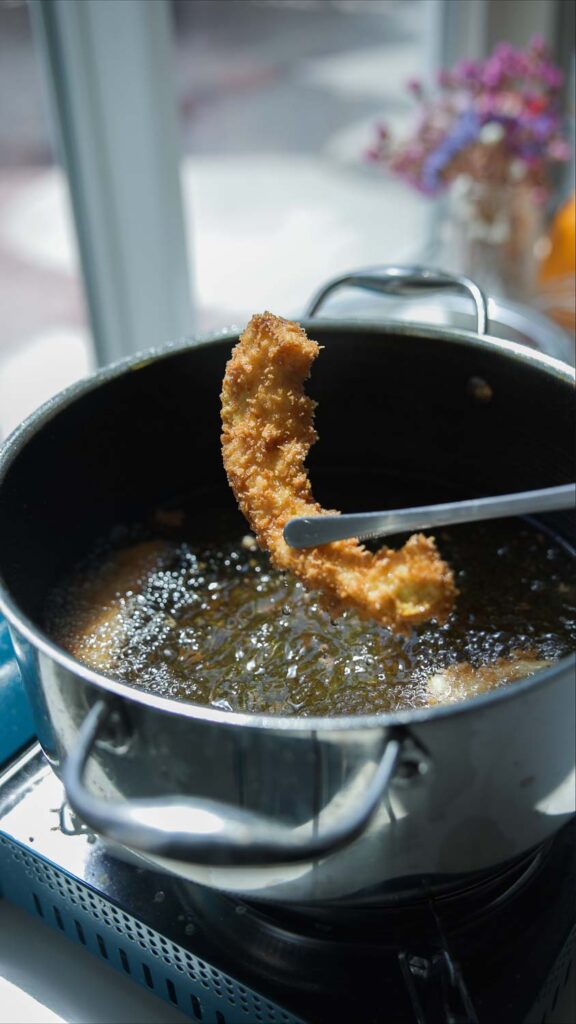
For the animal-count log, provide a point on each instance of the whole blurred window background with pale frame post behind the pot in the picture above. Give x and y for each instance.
(171, 167)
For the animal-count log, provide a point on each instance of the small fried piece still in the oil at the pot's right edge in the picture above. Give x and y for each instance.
(462, 681)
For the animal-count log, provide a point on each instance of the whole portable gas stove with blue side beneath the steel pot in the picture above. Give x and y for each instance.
(500, 952)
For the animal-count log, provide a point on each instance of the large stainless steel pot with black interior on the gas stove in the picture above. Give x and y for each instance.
(286, 809)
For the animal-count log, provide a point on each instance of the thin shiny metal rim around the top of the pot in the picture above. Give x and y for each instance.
(16, 443)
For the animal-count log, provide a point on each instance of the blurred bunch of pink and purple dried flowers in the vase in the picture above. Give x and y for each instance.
(514, 93)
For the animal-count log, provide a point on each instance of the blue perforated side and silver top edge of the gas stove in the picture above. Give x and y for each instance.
(131, 918)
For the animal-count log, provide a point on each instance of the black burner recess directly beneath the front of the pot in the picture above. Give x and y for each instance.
(289, 942)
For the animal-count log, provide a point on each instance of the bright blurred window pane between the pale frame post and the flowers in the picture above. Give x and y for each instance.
(278, 104)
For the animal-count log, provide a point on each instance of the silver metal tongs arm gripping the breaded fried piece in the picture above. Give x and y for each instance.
(309, 532)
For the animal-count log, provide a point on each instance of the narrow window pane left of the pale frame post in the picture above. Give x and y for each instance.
(45, 340)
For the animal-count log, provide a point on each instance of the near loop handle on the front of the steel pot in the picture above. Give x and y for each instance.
(208, 832)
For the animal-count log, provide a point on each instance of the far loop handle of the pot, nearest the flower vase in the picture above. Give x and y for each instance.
(404, 281)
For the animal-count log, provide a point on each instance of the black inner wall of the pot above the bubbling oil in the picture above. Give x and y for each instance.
(401, 420)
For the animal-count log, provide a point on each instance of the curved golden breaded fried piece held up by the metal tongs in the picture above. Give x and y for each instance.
(268, 430)
